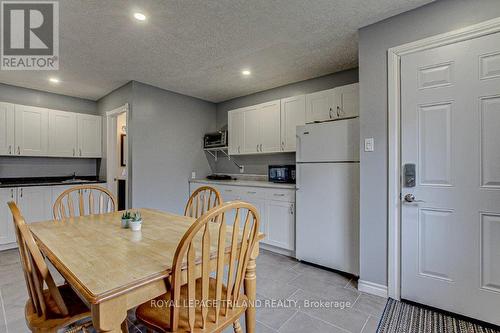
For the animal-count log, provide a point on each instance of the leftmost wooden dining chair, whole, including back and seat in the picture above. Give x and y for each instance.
(51, 309)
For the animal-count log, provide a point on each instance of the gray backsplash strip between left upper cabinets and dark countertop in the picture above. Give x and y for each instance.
(46, 167)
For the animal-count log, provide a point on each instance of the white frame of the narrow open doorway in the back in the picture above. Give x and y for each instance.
(111, 162)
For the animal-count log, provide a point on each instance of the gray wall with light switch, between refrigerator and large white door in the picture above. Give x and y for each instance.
(374, 40)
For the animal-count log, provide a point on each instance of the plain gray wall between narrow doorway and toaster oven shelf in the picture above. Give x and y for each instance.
(166, 131)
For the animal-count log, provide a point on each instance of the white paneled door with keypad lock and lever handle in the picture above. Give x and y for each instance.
(450, 131)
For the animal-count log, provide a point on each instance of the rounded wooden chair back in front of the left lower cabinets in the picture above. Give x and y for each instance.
(84, 200)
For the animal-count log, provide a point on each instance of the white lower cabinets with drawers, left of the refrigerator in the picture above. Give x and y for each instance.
(276, 207)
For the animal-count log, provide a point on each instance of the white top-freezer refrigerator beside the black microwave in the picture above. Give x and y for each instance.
(327, 230)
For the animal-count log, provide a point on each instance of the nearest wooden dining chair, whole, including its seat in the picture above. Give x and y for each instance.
(207, 298)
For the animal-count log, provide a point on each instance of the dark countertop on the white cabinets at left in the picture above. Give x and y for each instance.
(49, 181)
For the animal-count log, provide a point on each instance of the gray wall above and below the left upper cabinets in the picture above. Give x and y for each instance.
(45, 166)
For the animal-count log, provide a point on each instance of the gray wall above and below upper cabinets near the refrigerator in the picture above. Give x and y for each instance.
(257, 164)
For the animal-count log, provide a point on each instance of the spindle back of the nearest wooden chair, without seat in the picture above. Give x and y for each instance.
(233, 253)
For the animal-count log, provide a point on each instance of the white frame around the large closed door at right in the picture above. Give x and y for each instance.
(394, 134)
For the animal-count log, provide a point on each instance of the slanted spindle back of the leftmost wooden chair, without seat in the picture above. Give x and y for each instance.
(36, 272)
